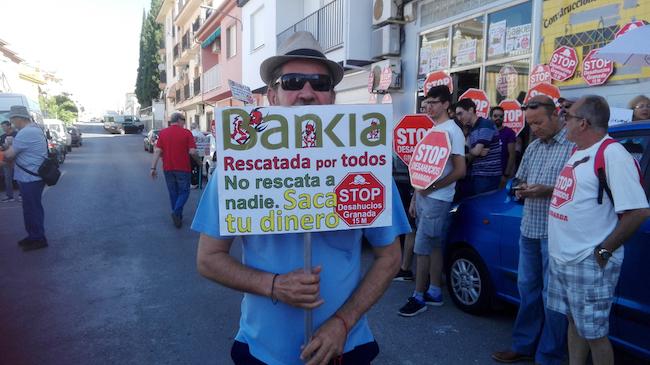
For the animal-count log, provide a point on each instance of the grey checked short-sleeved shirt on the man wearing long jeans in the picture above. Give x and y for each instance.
(541, 164)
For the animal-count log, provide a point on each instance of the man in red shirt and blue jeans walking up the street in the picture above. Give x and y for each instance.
(175, 144)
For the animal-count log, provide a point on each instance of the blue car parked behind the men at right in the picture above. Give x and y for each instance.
(482, 253)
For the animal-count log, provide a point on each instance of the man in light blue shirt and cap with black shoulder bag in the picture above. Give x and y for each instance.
(29, 150)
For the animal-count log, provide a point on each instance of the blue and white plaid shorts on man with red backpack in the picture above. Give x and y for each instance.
(584, 292)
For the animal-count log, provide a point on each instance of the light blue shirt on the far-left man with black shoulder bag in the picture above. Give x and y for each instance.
(31, 151)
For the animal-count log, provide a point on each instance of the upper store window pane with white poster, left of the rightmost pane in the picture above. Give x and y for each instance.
(467, 42)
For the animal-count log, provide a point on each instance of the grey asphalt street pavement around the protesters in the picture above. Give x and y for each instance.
(118, 283)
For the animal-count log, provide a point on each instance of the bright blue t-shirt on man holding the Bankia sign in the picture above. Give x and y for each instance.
(275, 332)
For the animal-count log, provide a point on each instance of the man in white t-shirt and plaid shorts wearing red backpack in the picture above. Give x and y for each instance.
(586, 236)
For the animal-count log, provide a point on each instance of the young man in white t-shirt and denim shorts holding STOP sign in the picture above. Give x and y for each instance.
(430, 207)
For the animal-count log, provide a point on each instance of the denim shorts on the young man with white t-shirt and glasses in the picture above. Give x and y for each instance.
(432, 223)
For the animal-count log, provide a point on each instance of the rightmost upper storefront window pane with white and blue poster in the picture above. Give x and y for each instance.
(509, 32)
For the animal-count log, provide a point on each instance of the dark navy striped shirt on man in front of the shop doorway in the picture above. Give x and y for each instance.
(485, 132)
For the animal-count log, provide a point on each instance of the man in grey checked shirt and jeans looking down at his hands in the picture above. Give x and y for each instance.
(538, 333)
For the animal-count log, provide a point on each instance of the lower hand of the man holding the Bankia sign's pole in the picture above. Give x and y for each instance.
(326, 344)
